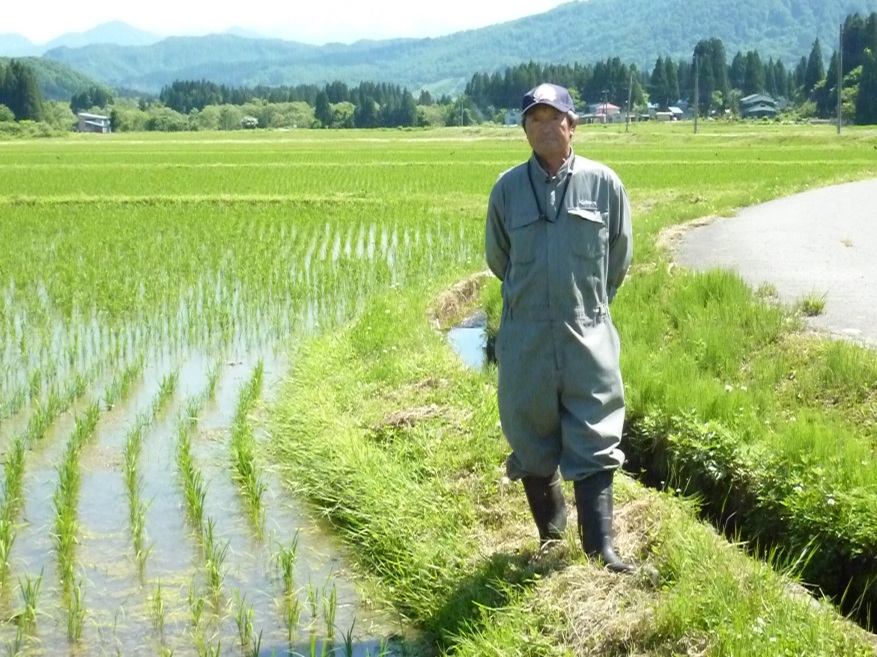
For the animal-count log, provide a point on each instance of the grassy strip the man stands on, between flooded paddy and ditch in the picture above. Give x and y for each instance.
(468, 575)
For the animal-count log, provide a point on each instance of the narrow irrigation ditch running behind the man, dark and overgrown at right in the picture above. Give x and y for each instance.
(741, 492)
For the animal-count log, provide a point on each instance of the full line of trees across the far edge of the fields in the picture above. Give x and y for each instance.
(809, 87)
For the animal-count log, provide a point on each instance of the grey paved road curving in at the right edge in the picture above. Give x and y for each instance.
(822, 241)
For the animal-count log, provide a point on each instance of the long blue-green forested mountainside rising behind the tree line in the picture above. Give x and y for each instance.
(635, 30)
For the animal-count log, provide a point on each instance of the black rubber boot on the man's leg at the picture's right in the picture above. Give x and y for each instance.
(594, 505)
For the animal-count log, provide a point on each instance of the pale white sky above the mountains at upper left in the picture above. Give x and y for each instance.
(315, 22)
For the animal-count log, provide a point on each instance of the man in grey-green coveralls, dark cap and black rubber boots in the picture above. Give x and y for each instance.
(559, 238)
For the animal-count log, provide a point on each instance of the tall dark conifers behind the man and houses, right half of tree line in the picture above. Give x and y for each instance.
(809, 85)
